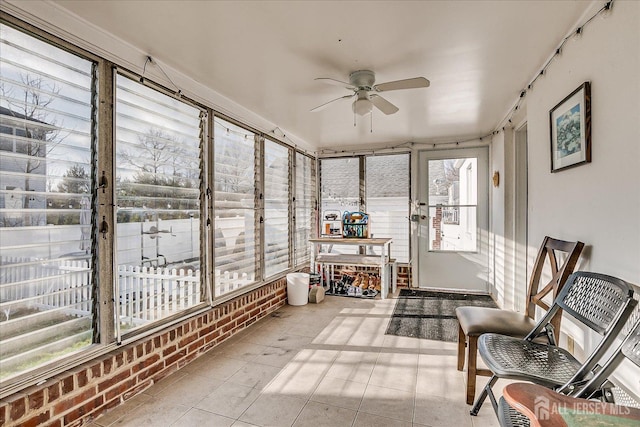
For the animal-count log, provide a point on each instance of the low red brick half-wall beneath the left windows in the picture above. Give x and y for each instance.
(80, 395)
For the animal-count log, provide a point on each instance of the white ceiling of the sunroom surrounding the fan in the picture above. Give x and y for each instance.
(264, 55)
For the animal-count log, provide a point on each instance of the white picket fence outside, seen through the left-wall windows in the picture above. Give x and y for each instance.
(145, 293)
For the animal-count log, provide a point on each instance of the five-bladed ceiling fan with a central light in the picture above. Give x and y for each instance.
(362, 84)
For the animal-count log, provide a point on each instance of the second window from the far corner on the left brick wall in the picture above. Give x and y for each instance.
(276, 208)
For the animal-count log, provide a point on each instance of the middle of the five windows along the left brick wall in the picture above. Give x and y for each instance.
(235, 206)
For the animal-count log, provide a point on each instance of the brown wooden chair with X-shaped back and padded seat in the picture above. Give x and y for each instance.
(475, 321)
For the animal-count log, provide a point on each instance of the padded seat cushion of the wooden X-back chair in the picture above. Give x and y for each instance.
(476, 321)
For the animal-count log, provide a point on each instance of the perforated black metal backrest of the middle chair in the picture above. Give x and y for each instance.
(602, 303)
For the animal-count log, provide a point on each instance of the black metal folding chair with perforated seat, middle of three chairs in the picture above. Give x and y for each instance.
(601, 303)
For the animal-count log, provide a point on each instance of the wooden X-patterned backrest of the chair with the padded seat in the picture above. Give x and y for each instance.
(550, 251)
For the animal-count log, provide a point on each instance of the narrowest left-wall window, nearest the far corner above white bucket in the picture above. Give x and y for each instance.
(304, 207)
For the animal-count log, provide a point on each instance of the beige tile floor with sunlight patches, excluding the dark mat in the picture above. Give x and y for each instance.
(327, 364)
